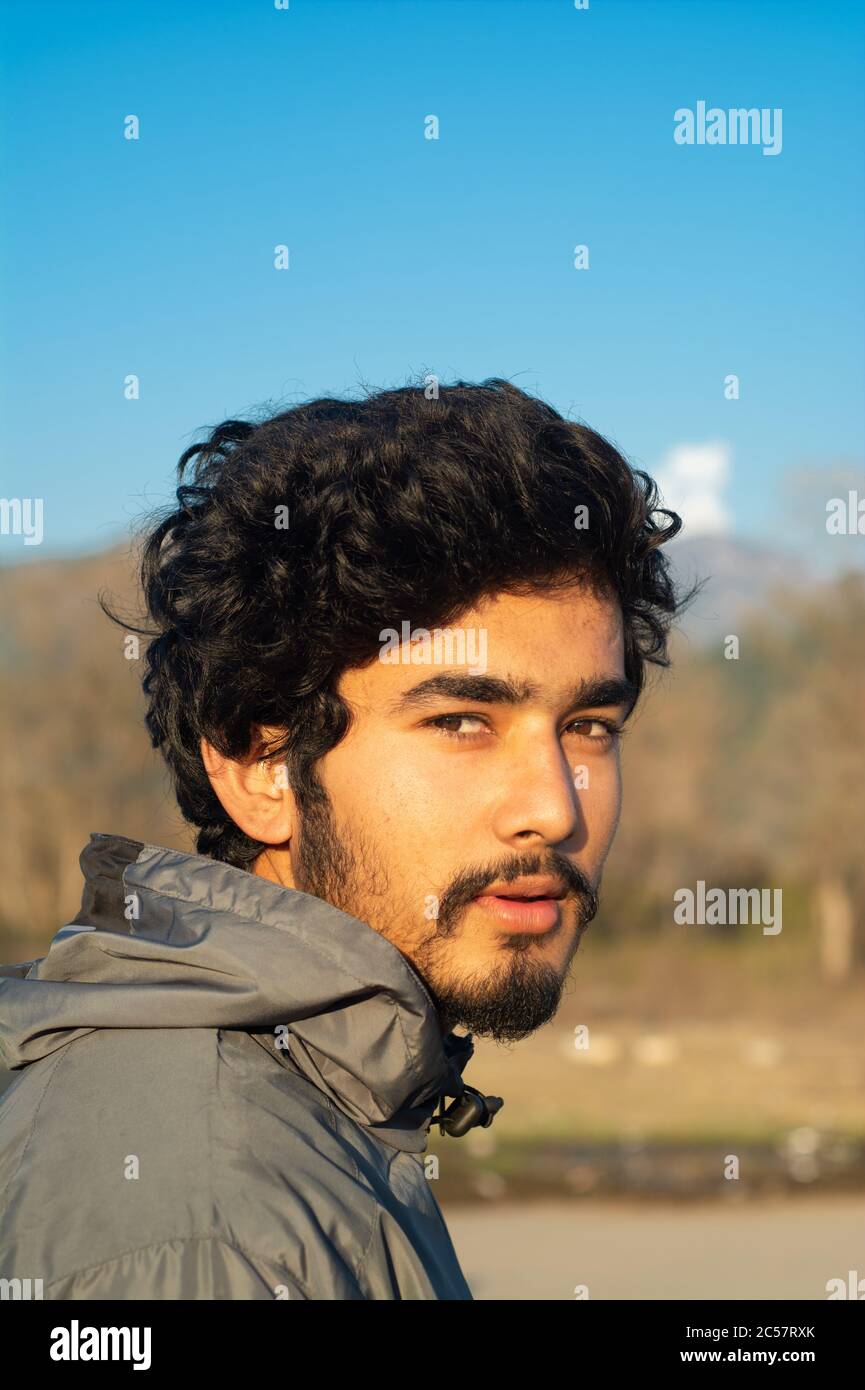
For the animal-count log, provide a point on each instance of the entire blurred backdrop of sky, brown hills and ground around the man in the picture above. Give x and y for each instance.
(714, 333)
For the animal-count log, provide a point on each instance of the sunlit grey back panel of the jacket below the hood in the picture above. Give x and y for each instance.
(184, 1153)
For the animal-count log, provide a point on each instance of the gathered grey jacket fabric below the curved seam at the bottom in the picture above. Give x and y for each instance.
(191, 1268)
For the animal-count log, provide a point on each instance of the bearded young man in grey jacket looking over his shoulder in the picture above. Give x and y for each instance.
(394, 646)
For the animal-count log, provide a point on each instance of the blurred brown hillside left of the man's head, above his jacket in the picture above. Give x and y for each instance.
(76, 753)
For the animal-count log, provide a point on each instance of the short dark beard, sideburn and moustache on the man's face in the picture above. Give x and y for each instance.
(506, 1004)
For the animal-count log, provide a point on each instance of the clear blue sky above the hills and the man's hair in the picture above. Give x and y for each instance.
(307, 127)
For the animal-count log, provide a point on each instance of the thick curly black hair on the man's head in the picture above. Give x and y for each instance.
(304, 536)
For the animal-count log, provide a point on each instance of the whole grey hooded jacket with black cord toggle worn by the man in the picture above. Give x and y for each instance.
(225, 1092)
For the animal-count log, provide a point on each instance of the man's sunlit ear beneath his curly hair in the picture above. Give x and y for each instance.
(252, 793)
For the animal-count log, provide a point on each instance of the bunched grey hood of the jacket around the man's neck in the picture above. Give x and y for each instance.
(173, 940)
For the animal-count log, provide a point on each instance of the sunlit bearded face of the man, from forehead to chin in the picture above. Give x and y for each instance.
(451, 787)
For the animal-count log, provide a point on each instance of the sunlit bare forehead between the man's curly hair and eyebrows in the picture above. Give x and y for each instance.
(547, 640)
